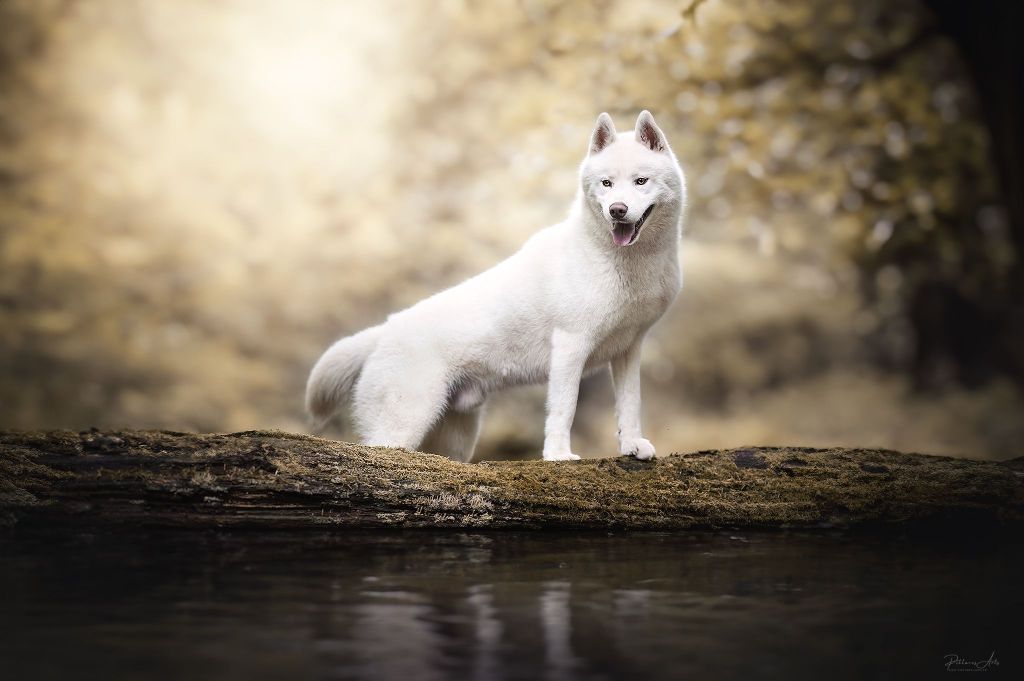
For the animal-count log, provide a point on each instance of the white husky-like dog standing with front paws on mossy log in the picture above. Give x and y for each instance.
(572, 301)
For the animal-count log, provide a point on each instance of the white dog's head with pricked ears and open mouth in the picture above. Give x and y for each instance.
(631, 182)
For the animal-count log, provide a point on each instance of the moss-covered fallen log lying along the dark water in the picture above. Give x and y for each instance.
(282, 481)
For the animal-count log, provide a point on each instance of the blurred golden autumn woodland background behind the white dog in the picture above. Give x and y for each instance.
(197, 197)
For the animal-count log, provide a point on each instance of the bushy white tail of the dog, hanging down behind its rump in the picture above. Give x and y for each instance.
(335, 374)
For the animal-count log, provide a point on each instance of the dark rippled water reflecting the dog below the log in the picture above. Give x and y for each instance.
(421, 606)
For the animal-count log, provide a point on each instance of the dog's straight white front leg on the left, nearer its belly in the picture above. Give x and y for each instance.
(569, 356)
